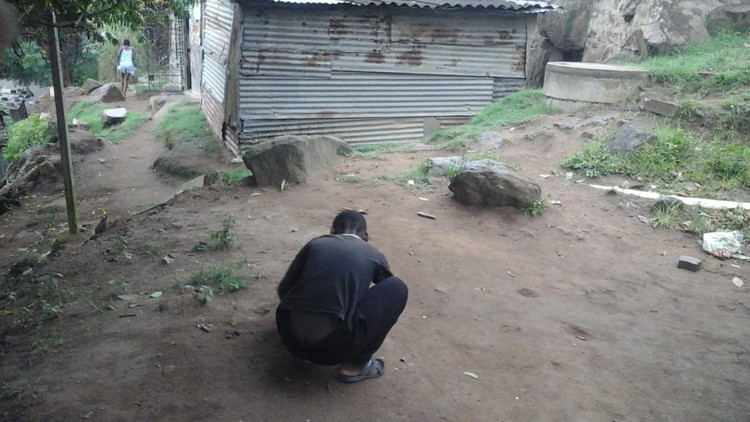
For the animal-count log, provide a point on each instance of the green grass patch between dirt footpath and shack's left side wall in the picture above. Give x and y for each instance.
(185, 124)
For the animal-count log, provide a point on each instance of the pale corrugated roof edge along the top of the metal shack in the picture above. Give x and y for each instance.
(511, 5)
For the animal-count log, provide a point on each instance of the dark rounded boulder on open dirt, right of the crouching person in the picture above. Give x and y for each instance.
(491, 184)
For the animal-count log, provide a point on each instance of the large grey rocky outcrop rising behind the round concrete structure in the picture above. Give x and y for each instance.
(606, 30)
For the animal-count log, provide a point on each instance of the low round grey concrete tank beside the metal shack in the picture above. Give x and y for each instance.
(572, 86)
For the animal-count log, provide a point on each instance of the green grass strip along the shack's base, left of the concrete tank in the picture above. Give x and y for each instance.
(516, 108)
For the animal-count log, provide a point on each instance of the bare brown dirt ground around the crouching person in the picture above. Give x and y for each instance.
(579, 314)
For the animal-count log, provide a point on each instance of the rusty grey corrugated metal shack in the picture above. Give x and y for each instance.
(366, 71)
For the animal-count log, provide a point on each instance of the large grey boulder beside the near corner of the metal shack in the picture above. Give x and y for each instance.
(292, 158)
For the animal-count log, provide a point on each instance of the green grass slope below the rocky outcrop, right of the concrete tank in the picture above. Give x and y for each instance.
(721, 63)
